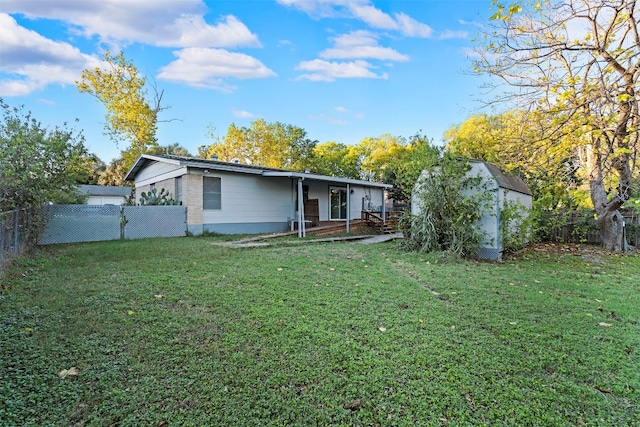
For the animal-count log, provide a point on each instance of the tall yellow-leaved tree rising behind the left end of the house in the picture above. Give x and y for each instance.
(132, 116)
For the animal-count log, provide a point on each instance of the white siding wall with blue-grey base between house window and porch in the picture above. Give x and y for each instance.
(251, 204)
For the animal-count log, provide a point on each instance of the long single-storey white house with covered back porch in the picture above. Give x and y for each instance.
(233, 198)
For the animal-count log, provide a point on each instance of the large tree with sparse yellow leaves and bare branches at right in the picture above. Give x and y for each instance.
(576, 64)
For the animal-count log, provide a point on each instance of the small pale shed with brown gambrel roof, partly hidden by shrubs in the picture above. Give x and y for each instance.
(504, 188)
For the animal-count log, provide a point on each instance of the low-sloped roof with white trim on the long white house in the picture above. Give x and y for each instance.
(193, 162)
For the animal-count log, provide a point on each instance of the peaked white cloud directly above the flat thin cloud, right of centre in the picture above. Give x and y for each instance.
(361, 44)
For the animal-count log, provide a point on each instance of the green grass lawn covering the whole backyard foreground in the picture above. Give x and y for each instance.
(186, 332)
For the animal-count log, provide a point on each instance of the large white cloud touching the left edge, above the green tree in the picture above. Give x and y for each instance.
(33, 61)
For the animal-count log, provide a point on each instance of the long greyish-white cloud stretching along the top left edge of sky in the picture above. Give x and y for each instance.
(168, 23)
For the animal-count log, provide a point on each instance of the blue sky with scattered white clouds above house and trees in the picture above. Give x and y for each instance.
(343, 70)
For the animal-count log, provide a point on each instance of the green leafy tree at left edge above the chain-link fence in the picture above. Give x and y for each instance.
(37, 165)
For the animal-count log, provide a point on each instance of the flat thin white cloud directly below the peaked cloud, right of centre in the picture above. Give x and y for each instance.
(320, 70)
